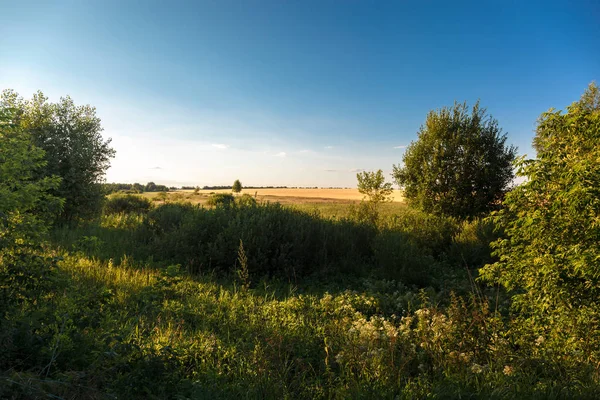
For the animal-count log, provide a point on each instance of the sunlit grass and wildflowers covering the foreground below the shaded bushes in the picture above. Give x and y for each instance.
(120, 331)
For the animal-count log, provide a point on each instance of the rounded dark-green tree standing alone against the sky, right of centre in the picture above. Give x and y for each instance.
(460, 164)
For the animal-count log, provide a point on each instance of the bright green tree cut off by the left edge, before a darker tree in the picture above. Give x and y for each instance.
(26, 210)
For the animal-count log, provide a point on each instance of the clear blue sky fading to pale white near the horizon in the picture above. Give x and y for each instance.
(293, 92)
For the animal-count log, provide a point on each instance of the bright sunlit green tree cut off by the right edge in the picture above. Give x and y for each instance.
(550, 255)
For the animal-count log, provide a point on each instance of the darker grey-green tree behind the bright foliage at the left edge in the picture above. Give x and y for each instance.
(75, 151)
